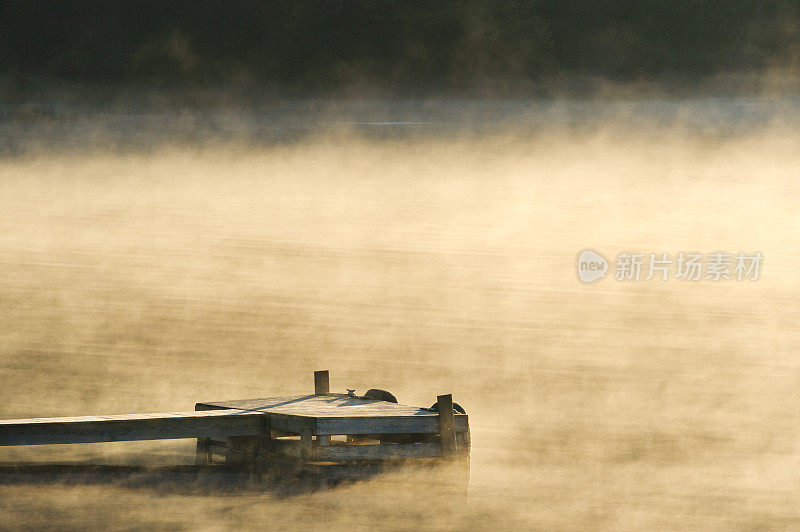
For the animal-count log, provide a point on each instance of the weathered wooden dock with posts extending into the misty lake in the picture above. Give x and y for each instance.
(322, 427)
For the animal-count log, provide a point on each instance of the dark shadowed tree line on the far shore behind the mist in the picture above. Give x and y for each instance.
(327, 43)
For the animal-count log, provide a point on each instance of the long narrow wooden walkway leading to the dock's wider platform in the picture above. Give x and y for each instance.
(130, 427)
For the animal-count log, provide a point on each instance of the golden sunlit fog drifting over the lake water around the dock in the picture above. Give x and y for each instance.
(154, 257)
